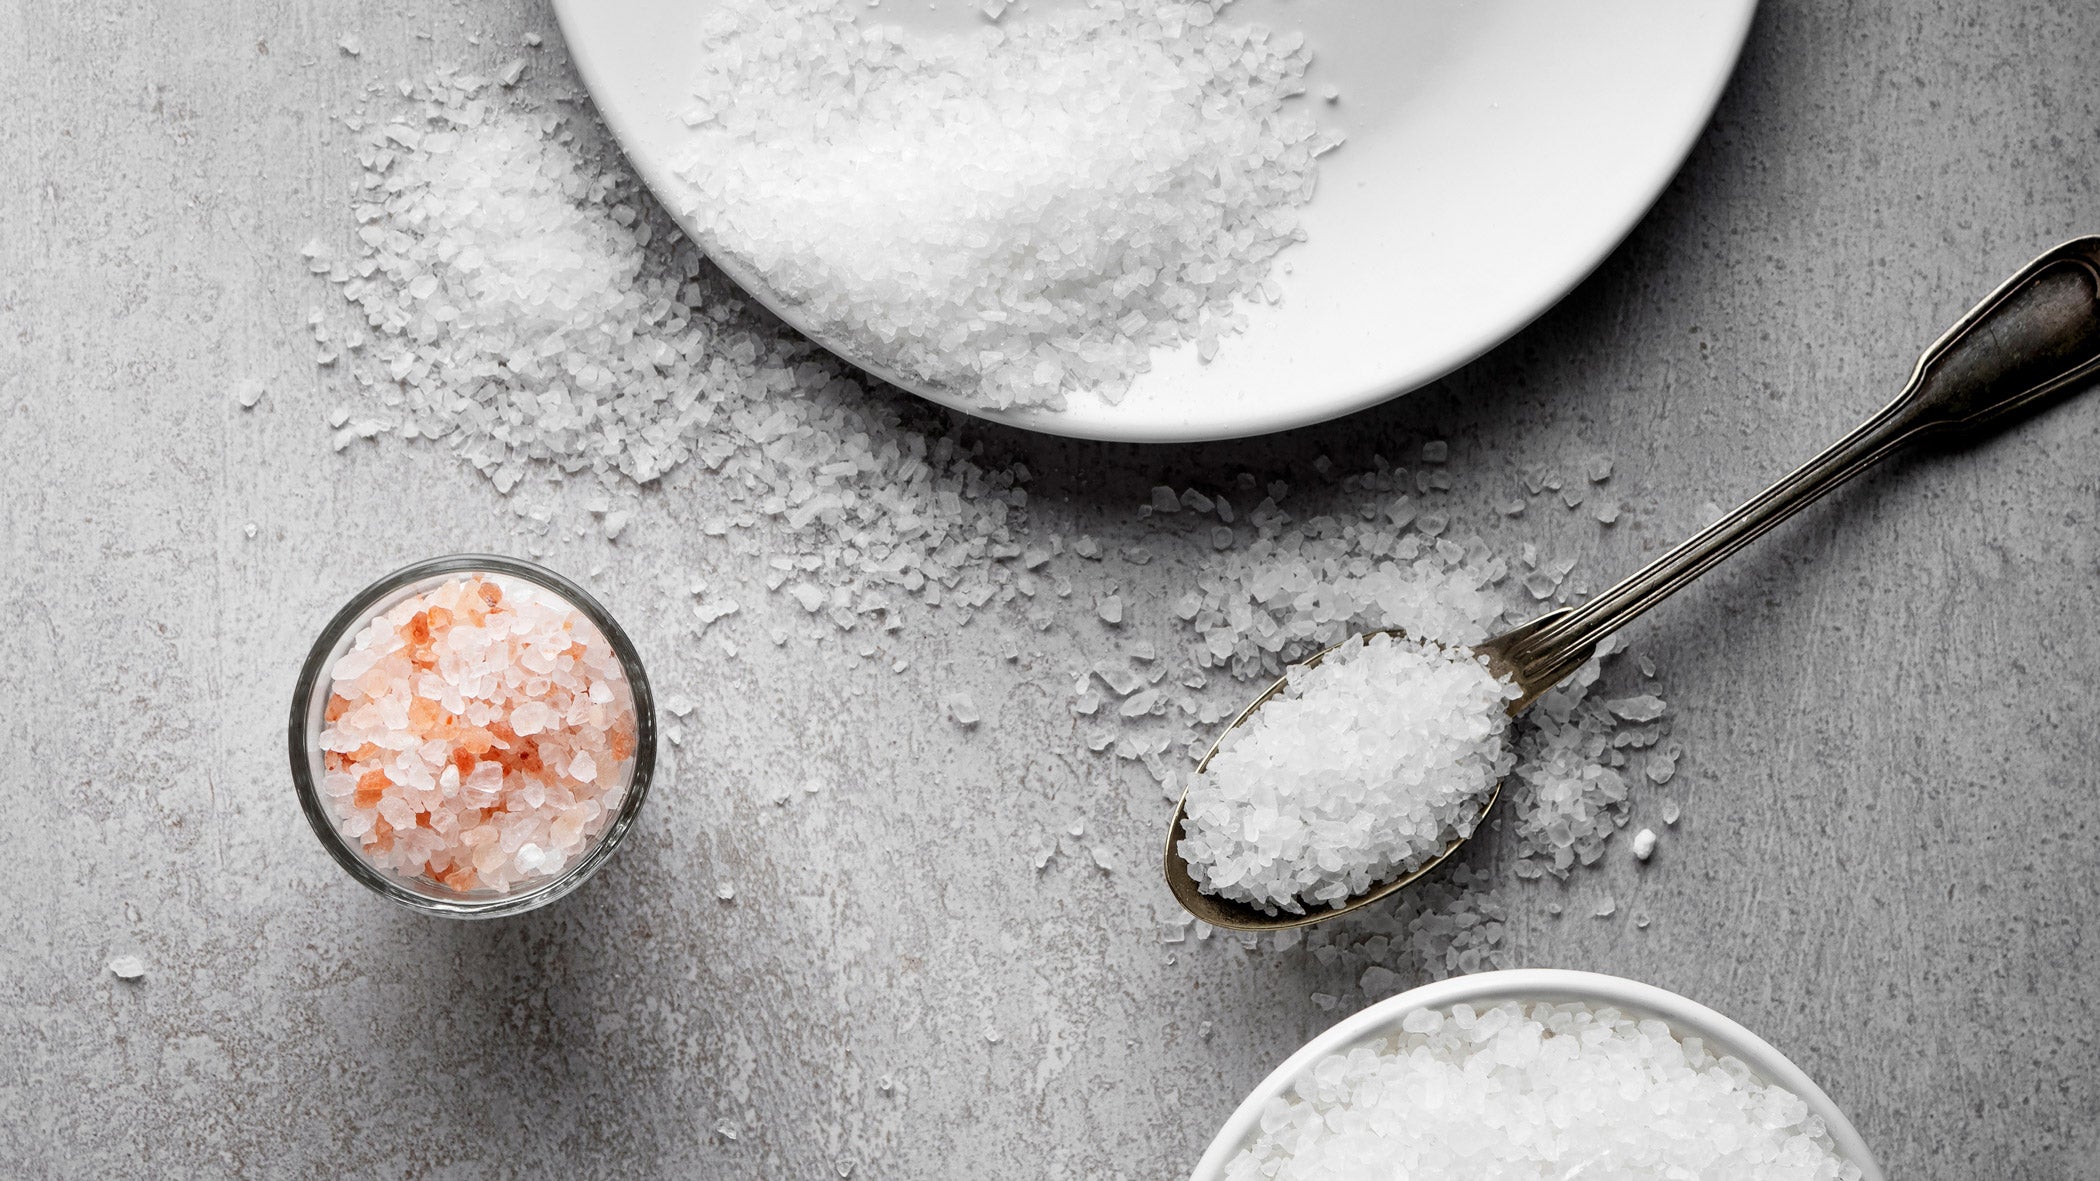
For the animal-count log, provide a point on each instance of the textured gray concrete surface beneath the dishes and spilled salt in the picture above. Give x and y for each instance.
(1887, 863)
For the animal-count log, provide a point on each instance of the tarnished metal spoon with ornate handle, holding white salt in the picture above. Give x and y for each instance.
(2036, 337)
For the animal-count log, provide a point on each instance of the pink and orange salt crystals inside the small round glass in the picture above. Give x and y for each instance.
(478, 737)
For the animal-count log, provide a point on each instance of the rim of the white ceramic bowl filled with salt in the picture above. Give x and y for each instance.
(1685, 1018)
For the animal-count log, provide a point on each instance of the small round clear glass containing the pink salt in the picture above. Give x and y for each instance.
(316, 686)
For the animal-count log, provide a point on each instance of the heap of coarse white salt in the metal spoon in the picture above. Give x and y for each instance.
(1362, 770)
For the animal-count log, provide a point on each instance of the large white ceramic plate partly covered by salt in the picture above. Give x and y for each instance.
(1496, 152)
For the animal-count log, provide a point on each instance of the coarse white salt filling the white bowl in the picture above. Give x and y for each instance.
(1536, 1094)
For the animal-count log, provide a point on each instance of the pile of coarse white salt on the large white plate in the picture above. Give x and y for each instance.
(1011, 215)
